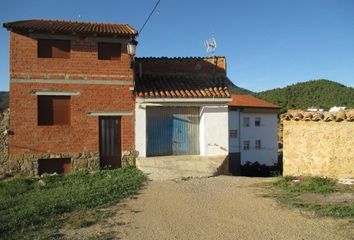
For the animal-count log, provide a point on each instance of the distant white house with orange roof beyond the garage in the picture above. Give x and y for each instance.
(252, 132)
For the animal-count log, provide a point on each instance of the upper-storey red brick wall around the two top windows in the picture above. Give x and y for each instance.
(83, 62)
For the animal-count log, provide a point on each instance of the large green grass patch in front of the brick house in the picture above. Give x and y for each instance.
(27, 206)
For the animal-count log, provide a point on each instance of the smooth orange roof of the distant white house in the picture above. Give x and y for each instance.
(249, 101)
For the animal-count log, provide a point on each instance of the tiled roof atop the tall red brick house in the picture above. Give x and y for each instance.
(68, 27)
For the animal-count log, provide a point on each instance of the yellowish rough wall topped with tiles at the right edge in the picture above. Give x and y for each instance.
(319, 146)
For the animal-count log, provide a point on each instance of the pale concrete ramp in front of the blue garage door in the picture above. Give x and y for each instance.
(177, 167)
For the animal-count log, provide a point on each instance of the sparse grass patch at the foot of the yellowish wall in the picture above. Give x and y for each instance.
(291, 191)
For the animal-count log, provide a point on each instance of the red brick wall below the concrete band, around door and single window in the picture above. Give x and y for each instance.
(82, 135)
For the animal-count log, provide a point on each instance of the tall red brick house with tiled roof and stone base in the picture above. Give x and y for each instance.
(71, 95)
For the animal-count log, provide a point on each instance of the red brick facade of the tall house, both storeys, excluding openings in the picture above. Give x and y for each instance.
(82, 134)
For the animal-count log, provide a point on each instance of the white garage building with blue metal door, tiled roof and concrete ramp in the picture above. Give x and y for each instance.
(181, 116)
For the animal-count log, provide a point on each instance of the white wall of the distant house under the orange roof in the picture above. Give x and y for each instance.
(267, 133)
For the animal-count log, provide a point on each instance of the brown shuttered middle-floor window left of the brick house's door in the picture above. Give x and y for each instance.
(53, 110)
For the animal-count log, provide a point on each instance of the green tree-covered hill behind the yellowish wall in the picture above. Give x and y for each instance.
(318, 93)
